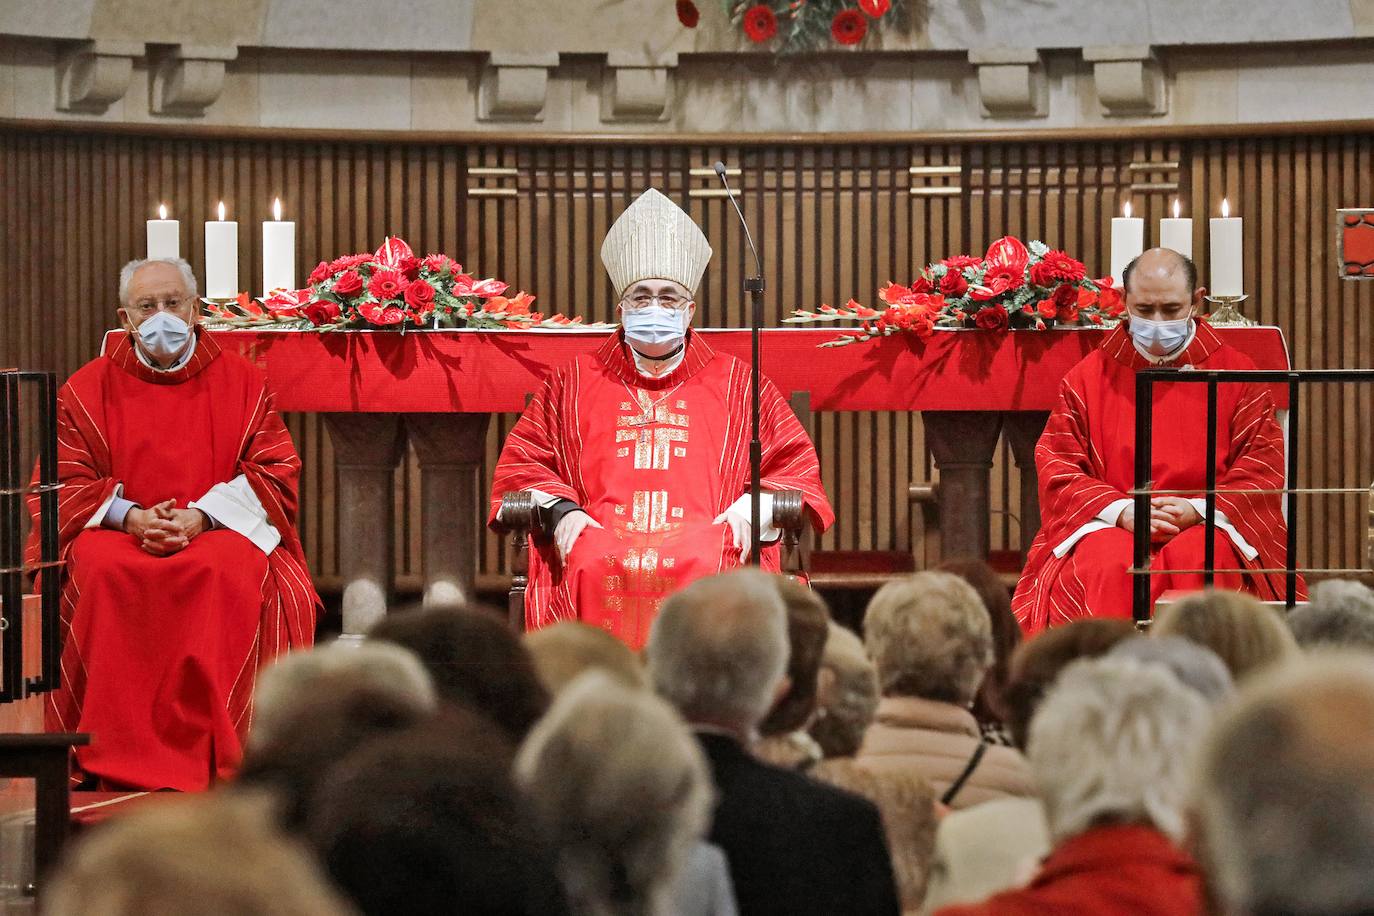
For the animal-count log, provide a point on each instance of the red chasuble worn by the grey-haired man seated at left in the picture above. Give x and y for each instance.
(160, 653)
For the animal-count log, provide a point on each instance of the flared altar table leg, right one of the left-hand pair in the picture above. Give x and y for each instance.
(450, 450)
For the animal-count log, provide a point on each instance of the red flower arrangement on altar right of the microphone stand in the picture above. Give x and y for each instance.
(1012, 286)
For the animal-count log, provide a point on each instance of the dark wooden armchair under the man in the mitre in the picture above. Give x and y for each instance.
(520, 521)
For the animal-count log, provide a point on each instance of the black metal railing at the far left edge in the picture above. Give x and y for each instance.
(14, 488)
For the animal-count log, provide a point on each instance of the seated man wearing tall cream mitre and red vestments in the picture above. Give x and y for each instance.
(638, 455)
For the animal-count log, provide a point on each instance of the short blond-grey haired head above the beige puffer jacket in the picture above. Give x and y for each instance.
(931, 638)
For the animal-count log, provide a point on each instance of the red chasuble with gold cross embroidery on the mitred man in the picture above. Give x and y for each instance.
(653, 461)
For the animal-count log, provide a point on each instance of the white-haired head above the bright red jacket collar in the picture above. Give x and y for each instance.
(1112, 742)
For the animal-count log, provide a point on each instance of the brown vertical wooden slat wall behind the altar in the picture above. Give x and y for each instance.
(832, 222)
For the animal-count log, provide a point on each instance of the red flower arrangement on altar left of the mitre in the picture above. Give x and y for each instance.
(391, 289)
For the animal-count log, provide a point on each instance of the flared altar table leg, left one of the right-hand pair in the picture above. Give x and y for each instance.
(962, 444)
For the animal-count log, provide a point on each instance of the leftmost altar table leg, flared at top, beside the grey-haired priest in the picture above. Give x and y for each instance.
(368, 448)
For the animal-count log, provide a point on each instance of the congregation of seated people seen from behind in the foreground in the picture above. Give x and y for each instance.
(758, 757)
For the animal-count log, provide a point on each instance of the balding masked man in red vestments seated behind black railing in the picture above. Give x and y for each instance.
(1086, 462)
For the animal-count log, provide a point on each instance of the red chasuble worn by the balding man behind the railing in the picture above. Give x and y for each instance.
(1086, 461)
